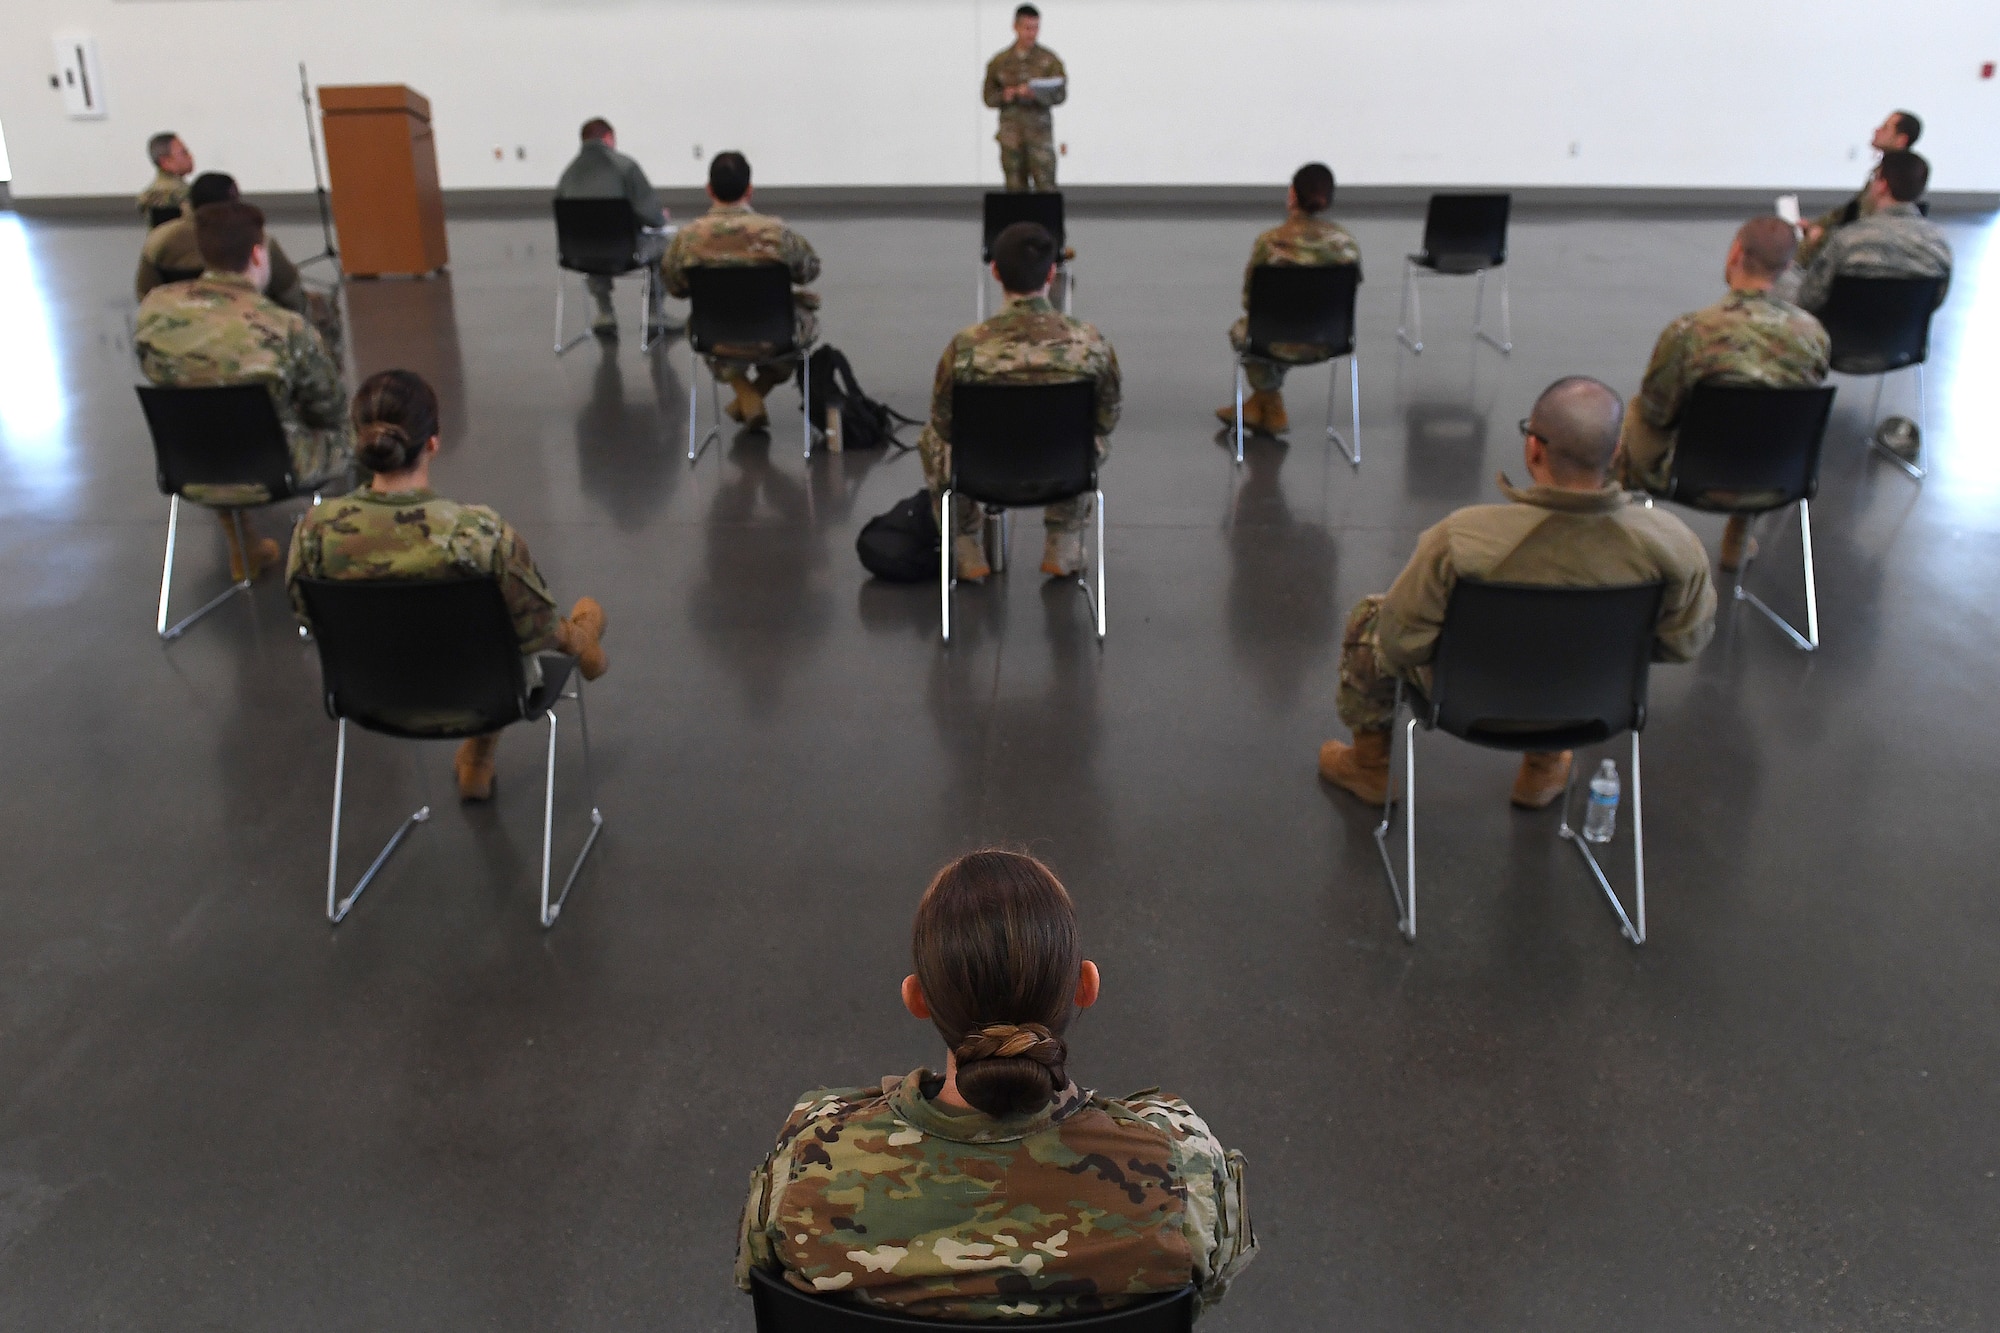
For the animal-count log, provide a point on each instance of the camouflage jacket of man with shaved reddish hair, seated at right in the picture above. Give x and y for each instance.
(1743, 339)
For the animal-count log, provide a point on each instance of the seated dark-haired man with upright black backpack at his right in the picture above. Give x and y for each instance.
(729, 237)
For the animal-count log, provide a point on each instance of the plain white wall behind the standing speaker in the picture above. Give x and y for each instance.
(1691, 93)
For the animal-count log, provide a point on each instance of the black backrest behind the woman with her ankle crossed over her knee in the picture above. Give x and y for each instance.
(407, 647)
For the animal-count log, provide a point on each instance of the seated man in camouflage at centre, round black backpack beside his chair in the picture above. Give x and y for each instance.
(1027, 343)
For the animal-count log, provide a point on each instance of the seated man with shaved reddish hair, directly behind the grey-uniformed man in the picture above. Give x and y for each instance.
(1749, 337)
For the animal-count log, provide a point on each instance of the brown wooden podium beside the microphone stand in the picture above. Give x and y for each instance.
(385, 181)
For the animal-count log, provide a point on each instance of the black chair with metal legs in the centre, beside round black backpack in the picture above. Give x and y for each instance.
(1023, 447)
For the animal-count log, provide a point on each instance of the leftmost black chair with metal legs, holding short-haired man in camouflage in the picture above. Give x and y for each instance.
(225, 435)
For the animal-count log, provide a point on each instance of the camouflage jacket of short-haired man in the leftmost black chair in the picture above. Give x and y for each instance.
(219, 329)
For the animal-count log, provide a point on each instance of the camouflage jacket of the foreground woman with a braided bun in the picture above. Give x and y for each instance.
(903, 1204)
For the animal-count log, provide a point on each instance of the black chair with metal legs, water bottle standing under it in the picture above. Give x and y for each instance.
(1533, 668)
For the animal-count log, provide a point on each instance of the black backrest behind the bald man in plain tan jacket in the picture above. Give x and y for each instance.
(1533, 668)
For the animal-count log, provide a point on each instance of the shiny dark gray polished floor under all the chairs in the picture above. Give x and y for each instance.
(219, 1114)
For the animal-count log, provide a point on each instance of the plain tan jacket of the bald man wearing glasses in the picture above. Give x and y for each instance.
(1581, 539)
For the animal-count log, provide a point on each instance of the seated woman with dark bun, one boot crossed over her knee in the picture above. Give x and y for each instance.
(399, 529)
